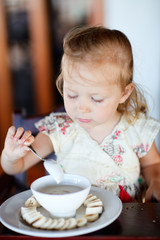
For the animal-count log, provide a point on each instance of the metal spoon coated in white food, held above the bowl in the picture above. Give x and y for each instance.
(52, 166)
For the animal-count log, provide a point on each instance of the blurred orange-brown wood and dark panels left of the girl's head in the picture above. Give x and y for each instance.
(31, 38)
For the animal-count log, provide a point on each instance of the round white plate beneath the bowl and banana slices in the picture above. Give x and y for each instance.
(10, 215)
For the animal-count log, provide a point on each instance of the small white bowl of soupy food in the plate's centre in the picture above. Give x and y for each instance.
(61, 204)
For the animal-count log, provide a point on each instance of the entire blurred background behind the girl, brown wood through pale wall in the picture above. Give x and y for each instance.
(31, 36)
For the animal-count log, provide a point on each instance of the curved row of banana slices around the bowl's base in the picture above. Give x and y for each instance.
(29, 213)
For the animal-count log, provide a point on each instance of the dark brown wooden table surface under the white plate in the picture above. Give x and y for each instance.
(137, 220)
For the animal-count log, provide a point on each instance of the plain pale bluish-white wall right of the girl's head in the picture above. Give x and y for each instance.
(139, 20)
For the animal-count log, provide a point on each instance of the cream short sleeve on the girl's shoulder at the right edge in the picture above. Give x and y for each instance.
(142, 134)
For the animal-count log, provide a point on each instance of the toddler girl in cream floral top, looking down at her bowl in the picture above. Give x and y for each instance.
(105, 133)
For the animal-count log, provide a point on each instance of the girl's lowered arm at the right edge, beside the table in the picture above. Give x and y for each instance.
(150, 165)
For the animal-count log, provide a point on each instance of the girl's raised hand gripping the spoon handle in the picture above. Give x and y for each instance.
(16, 143)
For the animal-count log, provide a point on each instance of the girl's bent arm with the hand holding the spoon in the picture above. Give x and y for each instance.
(16, 156)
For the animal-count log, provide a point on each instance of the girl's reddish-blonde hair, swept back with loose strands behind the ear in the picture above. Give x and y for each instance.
(101, 45)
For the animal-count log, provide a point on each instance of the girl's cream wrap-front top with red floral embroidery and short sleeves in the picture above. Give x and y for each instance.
(113, 164)
